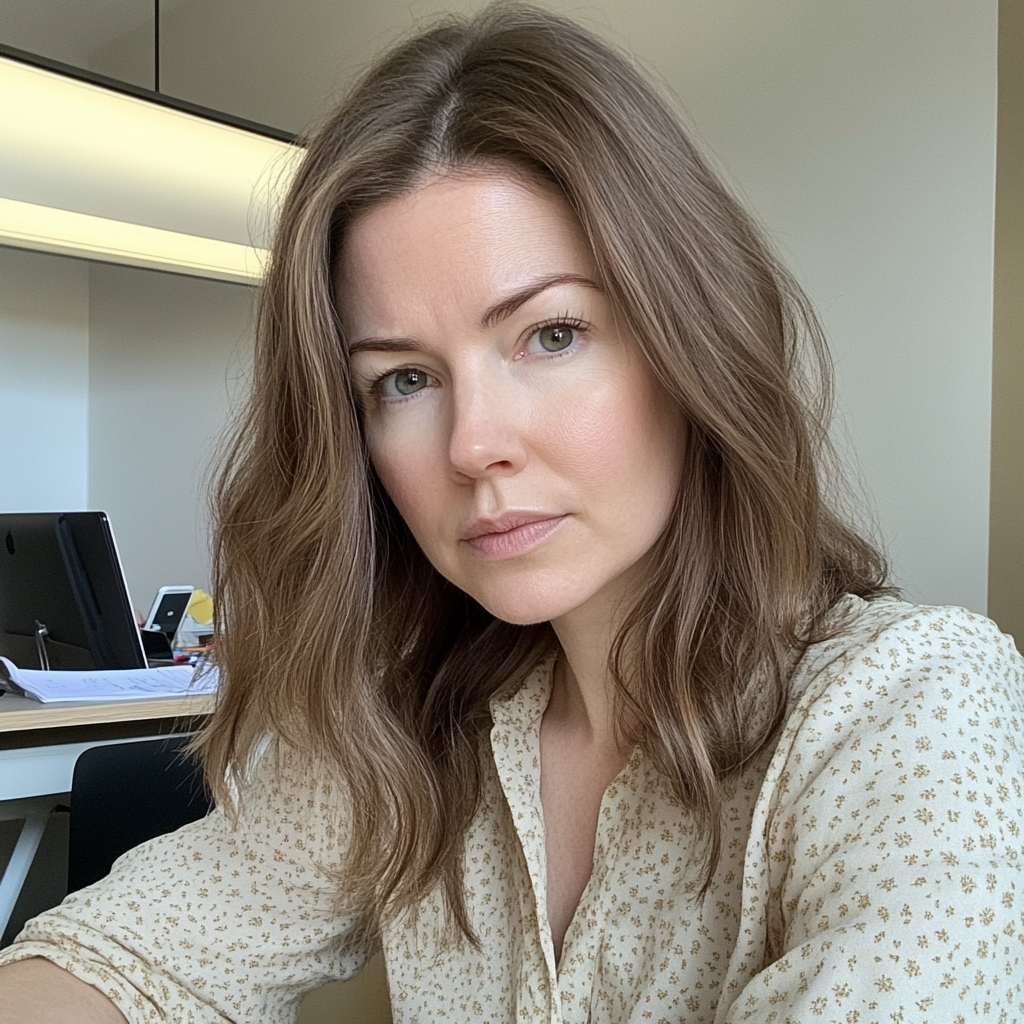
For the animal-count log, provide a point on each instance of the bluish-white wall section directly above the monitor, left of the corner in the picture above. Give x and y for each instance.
(45, 382)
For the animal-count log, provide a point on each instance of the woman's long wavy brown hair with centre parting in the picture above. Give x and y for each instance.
(334, 631)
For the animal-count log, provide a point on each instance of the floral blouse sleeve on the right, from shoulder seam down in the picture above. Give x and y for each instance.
(893, 837)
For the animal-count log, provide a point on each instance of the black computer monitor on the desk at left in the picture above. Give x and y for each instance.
(64, 604)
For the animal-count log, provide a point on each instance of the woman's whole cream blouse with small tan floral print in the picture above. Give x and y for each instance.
(872, 871)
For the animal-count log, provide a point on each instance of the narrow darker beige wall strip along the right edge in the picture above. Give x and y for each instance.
(1006, 582)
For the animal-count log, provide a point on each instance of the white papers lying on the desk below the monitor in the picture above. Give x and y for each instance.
(117, 685)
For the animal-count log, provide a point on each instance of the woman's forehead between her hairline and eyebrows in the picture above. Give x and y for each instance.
(455, 243)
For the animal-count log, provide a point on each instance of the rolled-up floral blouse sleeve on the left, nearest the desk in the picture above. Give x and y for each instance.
(221, 921)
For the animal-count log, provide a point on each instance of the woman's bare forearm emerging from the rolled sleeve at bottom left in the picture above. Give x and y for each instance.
(36, 992)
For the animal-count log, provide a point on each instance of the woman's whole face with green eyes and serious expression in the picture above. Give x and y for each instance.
(520, 434)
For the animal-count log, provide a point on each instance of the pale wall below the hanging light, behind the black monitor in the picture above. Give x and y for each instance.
(115, 387)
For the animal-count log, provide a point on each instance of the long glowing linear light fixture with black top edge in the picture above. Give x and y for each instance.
(106, 172)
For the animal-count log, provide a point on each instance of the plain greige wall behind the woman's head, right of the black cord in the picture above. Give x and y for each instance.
(864, 137)
